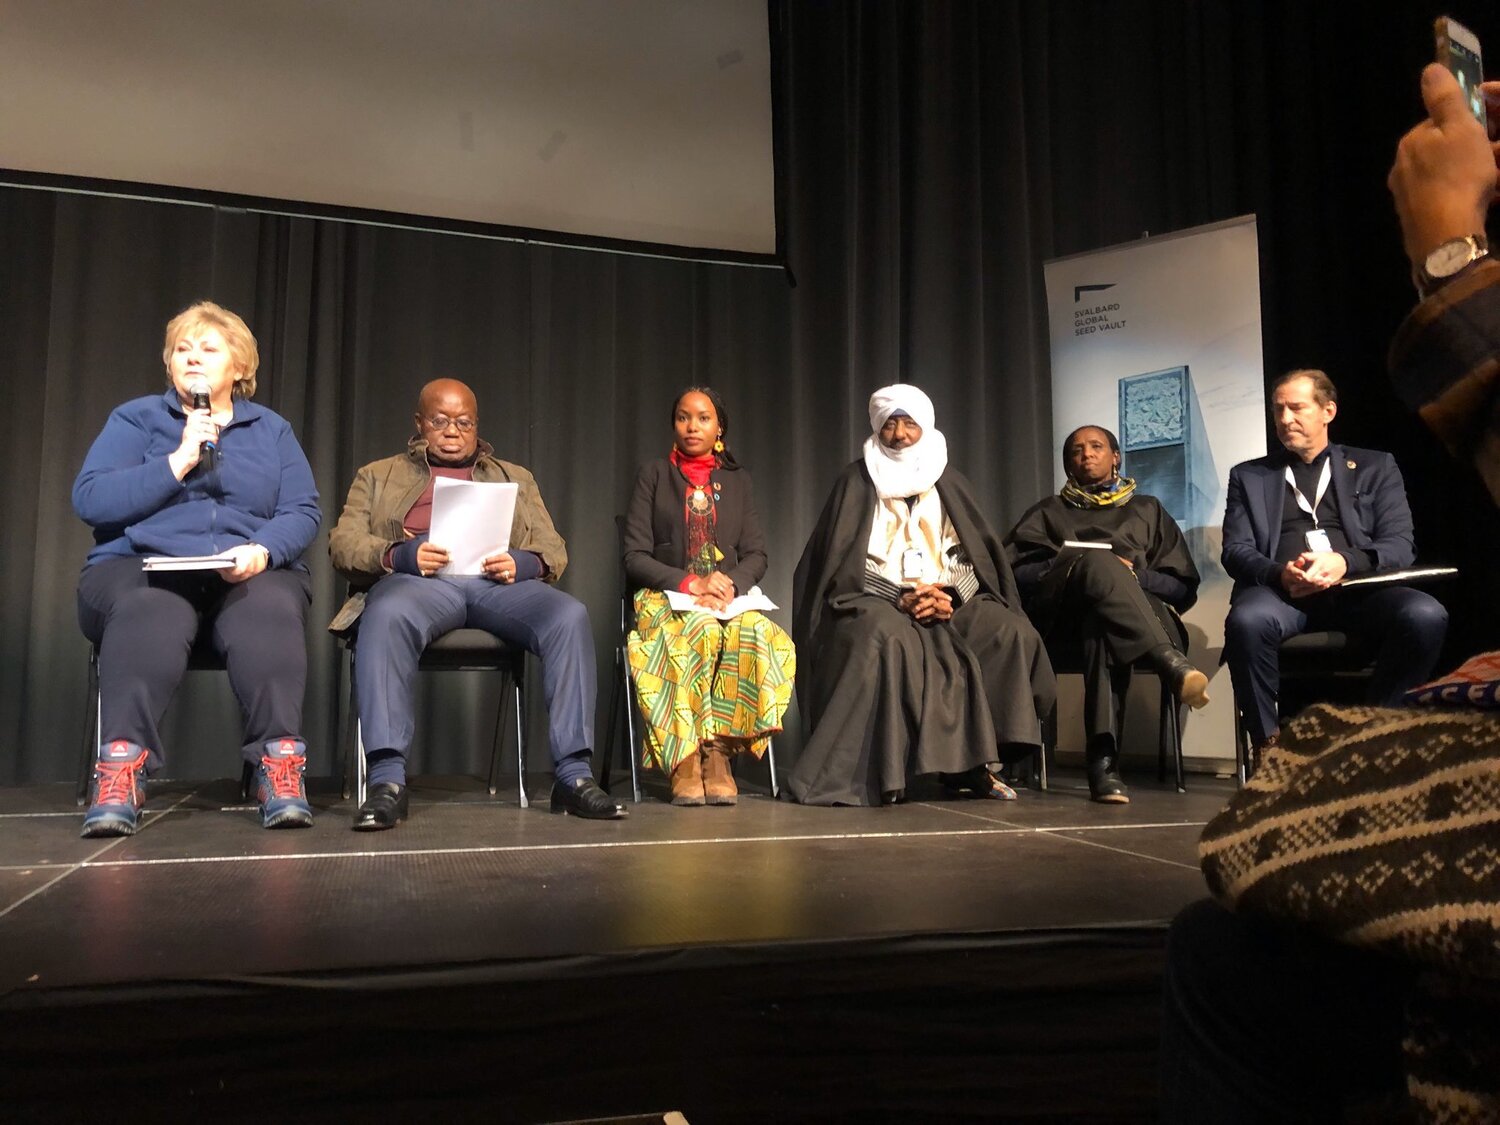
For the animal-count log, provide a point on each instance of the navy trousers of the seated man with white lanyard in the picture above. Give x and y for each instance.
(1403, 629)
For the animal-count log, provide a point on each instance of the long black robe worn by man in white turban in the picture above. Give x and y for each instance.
(887, 698)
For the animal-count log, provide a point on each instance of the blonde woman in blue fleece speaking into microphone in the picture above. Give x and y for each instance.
(199, 472)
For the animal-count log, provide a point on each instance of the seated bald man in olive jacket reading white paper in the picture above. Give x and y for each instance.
(400, 604)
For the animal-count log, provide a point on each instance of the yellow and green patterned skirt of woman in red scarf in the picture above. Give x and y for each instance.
(698, 677)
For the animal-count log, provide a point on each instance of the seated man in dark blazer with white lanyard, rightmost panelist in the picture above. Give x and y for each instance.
(1298, 523)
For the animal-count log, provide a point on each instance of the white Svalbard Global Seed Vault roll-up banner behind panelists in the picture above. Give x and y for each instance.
(1160, 343)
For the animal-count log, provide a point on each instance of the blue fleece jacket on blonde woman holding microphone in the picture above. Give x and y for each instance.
(259, 491)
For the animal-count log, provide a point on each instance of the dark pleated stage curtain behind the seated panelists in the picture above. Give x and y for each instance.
(937, 155)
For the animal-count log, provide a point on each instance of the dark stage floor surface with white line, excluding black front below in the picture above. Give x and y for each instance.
(203, 893)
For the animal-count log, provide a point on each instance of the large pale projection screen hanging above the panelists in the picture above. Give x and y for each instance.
(583, 122)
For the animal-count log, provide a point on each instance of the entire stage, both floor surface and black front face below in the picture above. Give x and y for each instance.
(938, 961)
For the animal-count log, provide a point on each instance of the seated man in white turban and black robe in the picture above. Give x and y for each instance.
(916, 656)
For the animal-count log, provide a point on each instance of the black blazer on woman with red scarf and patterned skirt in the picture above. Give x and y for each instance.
(656, 530)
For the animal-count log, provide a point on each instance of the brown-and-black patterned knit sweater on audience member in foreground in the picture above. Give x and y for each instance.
(1381, 827)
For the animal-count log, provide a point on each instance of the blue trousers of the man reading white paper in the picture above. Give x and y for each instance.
(404, 614)
